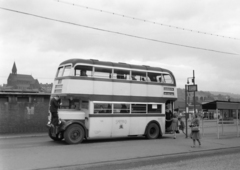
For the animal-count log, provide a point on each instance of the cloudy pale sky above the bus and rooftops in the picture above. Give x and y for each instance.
(178, 35)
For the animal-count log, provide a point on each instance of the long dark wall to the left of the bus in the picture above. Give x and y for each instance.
(23, 113)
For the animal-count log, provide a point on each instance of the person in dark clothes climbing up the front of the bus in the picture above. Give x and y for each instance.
(53, 110)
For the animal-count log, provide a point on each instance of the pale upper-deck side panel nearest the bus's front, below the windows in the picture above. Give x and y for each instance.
(78, 86)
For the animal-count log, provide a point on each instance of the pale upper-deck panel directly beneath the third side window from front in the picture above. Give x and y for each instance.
(122, 89)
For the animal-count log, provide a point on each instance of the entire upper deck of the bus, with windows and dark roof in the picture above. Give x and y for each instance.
(108, 81)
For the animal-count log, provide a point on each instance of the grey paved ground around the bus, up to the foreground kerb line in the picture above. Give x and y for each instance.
(111, 150)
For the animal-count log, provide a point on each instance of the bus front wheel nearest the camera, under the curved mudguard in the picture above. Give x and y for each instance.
(74, 134)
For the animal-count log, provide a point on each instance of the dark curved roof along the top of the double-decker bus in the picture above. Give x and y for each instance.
(106, 63)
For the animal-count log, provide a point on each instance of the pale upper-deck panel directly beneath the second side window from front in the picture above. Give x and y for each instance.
(103, 87)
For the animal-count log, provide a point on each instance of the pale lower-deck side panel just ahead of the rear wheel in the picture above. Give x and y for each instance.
(138, 125)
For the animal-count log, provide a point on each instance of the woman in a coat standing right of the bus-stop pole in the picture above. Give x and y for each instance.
(195, 132)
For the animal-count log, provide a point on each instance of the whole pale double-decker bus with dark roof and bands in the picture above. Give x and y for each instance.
(105, 99)
